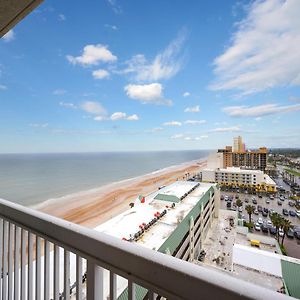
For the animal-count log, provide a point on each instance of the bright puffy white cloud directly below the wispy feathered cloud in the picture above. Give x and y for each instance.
(147, 93)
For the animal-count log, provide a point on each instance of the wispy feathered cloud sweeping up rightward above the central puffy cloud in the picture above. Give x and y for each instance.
(165, 65)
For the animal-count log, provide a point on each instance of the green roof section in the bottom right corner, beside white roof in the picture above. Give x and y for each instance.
(291, 275)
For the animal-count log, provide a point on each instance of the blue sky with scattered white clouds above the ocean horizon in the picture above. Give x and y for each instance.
(112, 75)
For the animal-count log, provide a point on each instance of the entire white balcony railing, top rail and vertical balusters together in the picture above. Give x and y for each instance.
(38, 252)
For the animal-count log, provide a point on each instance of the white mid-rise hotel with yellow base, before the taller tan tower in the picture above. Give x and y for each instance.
(237, 177)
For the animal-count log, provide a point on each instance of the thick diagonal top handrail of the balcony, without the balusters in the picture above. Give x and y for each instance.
(160, 273)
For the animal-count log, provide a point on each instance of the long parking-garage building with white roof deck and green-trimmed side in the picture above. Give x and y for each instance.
(173, 220)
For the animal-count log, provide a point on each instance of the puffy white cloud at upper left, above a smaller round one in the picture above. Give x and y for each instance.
(93, 55)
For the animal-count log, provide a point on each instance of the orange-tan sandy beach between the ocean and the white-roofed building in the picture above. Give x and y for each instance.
(93, 207)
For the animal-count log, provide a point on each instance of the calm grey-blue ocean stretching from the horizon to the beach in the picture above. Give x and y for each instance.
(30, 179)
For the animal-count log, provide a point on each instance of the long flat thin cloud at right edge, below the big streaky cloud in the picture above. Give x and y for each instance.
(260, 110)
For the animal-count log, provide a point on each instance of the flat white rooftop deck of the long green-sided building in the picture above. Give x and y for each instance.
(130, 222)
